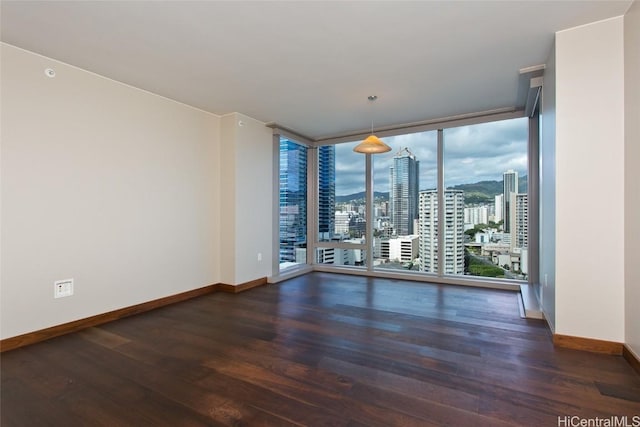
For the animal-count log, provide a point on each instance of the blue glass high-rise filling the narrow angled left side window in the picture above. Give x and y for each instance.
(293, 200)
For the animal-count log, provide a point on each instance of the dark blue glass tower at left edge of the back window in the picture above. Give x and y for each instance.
(326, 191)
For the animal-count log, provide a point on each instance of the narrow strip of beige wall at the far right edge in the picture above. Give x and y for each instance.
(632, 177)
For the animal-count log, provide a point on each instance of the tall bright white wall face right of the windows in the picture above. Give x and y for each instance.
(589, 147)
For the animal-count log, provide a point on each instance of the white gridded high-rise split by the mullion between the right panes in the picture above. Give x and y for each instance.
(453, 231)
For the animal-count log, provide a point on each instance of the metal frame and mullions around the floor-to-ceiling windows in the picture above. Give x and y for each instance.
(437, 125)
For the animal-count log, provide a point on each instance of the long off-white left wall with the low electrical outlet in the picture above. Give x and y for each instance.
(104, 183)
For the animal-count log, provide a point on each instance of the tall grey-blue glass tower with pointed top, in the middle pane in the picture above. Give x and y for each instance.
(403, 192)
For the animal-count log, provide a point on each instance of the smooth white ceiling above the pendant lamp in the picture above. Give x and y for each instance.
(308, 65)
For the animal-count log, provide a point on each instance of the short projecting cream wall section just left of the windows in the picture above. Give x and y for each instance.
(247, 146)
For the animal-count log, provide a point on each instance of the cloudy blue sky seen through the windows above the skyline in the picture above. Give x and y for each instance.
(472, 153)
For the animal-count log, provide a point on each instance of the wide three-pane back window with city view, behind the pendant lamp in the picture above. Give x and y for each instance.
(474, 223)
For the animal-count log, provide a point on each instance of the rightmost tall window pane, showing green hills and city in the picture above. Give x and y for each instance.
(486, 164)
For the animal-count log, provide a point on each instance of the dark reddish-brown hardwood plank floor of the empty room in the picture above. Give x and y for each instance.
(319, 350)
